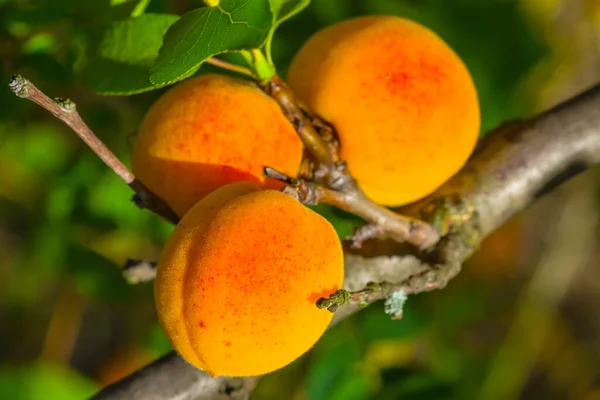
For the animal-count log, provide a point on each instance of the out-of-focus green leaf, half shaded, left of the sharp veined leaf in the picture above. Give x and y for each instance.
(127, 52)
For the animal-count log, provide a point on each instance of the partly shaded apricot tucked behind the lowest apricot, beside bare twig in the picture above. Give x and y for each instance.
(209, 131)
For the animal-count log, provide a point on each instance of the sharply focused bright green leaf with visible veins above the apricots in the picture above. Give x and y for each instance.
(206, 32)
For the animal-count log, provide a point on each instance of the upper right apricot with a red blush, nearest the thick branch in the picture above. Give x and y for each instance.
(403, 103)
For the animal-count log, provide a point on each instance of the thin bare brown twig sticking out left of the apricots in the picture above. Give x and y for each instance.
(65, 110)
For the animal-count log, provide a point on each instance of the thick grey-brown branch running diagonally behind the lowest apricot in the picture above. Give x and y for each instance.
(512, 168)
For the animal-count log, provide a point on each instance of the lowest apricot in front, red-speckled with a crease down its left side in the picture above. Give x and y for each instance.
(238, 279)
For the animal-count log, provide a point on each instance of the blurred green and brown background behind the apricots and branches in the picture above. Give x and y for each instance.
(518, 323)
